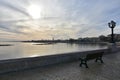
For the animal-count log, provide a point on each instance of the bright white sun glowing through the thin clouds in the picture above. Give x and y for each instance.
(34, 11)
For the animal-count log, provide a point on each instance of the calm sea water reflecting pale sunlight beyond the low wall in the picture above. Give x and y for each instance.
(22, 50)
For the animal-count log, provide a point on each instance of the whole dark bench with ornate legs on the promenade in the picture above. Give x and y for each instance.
(97, 56)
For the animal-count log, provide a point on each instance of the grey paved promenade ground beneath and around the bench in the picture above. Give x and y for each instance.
(110, 70)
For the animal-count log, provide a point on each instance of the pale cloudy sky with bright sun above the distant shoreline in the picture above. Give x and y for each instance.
(58, 19)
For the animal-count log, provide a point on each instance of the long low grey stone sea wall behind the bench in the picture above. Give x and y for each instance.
(33, 62)
